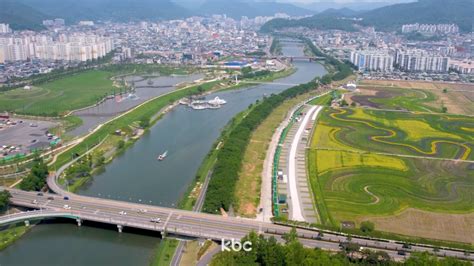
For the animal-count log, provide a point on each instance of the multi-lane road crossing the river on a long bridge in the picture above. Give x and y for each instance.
(180, 222)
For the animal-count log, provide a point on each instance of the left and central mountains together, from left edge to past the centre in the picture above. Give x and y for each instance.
(29, 14)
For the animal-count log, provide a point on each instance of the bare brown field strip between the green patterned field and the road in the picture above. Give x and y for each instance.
(451, 227)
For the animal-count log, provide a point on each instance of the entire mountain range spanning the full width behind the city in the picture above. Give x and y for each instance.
(29, 14)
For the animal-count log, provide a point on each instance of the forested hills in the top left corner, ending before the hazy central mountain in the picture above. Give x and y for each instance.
(73, 11)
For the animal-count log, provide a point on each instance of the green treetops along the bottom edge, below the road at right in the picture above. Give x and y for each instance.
(267, 251)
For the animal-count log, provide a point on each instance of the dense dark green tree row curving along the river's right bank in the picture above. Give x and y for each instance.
(229, 160)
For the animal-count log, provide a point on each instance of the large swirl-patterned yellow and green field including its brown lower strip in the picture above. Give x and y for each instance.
(408, 173)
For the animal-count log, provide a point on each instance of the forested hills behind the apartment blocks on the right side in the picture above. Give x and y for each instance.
(391, 17)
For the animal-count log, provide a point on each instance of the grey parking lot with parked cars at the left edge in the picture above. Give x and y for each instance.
(22, 136)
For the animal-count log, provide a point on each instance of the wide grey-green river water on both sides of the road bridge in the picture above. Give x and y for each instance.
(137, 176)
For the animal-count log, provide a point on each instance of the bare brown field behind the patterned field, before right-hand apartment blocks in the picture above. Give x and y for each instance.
(459, 99)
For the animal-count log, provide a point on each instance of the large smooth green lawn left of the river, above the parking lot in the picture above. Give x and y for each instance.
(59, 96)
